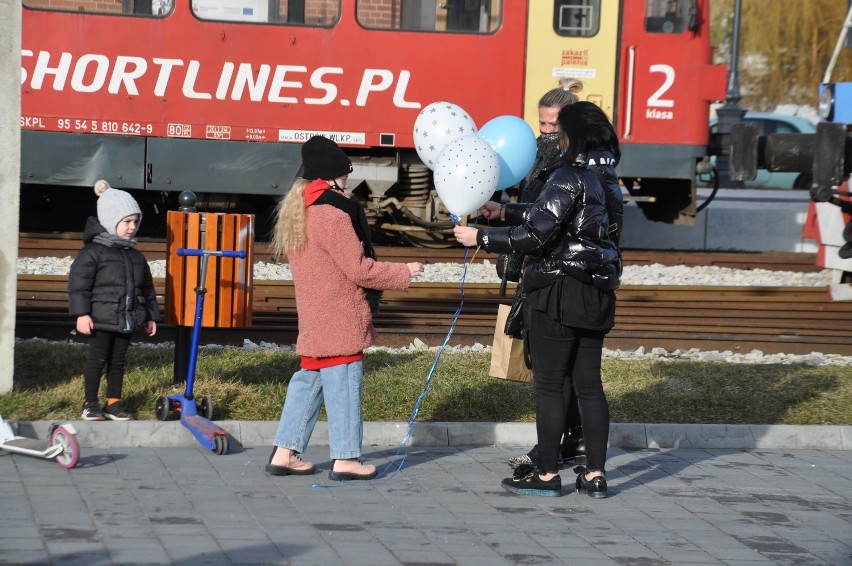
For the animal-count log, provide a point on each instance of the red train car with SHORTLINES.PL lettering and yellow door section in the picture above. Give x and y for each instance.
(216, 96)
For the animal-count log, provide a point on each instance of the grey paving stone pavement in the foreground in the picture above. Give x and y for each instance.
(184, 504)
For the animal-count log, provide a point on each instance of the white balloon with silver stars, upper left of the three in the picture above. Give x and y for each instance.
(436, 126)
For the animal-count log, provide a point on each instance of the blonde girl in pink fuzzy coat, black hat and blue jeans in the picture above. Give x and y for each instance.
(324, 234)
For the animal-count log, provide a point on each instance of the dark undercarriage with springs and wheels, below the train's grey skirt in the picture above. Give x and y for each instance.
(408, 212)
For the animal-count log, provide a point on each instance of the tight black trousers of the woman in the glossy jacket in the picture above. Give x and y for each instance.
(565, 357)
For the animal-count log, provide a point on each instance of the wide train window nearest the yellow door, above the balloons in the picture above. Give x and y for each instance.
(471, 16)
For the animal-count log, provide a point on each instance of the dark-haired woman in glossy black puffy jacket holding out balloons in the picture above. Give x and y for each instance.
(570, 239)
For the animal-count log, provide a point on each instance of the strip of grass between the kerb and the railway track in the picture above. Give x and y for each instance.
(250, 385)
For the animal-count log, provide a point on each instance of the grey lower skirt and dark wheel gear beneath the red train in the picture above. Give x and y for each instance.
(395, 187)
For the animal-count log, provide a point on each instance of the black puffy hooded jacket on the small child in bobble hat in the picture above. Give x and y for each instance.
(113, 285)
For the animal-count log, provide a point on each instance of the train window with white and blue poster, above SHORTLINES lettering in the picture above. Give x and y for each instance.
(319, 13)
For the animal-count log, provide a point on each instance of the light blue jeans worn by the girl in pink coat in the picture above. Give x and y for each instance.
(339, 387)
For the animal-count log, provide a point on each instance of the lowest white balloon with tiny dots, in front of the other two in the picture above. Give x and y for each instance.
(466, 174)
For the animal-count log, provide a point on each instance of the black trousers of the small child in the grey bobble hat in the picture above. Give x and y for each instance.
(106, 348)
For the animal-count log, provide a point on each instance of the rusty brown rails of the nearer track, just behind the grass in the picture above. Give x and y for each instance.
(772, 319)
